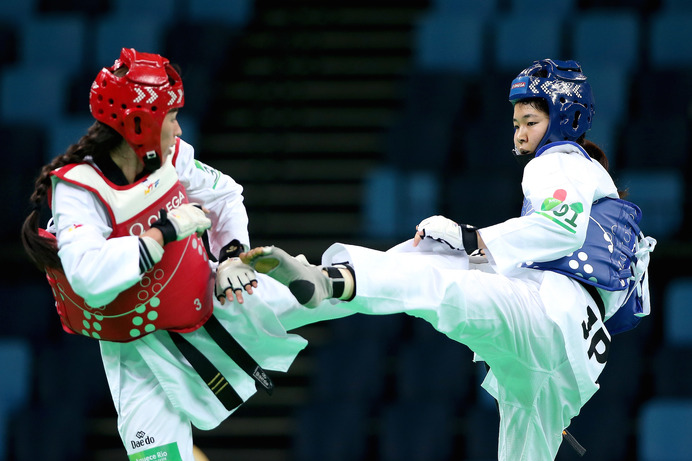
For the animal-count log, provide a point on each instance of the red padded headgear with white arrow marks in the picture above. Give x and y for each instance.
(135, 103)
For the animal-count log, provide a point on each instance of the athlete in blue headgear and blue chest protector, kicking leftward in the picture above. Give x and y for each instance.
(551, 287)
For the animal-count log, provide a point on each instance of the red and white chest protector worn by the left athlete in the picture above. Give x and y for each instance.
(176, 294)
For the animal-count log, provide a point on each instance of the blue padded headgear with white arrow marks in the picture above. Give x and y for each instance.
(570, 100)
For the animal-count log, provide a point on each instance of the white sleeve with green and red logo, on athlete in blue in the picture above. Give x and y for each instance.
(560, 188)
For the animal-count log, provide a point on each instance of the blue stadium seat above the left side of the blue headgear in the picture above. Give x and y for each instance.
(544, 41)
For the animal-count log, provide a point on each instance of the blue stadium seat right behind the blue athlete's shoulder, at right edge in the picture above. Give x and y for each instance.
(658, 192)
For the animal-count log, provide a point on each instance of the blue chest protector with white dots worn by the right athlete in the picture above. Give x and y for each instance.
(614, 257)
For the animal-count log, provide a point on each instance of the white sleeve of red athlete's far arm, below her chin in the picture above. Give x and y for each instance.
(219, 193)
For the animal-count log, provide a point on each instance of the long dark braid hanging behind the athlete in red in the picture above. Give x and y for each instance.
(99, 140)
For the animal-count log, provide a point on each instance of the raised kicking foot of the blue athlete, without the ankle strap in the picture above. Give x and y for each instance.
(309, 284)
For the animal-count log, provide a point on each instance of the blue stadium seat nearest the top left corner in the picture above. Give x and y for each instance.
(56, 41)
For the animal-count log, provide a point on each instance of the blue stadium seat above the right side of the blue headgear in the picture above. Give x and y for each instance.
(606, 38)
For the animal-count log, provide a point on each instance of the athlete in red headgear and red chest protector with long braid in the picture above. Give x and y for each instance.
(125, 257)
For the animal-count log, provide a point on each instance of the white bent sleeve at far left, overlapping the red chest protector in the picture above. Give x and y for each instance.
(97, 268)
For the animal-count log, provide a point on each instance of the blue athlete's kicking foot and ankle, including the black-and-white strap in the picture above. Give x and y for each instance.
(309, 284)
